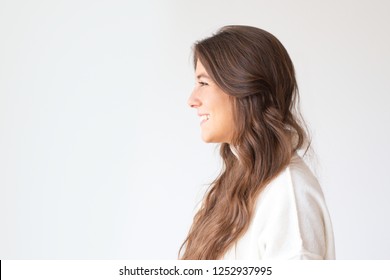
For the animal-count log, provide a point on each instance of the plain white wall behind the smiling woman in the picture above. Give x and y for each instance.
(100, 157)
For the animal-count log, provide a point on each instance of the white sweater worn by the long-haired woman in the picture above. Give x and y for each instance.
(290, 221)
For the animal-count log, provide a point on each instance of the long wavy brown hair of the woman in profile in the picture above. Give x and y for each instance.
(254, 68)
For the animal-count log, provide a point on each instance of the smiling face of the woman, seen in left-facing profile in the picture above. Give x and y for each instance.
(214, 108)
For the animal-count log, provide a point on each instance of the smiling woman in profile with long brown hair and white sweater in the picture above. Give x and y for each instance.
(265, 204)
